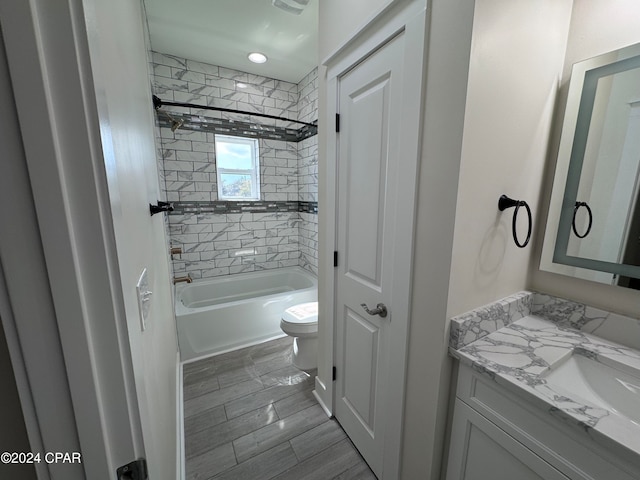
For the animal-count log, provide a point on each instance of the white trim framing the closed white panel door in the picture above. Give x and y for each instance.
(411, 19)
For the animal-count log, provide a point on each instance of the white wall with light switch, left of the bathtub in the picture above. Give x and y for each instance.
(119, 64)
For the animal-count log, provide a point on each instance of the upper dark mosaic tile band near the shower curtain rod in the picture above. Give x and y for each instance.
(200, 123)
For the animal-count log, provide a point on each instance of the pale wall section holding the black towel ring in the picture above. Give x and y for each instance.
(516, 60)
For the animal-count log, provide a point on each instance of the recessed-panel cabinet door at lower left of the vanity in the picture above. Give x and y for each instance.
(481, 451)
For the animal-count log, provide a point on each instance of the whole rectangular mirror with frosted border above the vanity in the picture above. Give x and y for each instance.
(593, 227)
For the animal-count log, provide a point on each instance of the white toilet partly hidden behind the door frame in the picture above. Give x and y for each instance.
(301, 323)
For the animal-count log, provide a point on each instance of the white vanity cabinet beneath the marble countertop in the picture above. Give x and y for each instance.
(500, 436)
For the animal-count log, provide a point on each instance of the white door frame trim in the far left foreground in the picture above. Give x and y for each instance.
(48, 58)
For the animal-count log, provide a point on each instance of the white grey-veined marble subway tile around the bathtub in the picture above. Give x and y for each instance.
(221, 244)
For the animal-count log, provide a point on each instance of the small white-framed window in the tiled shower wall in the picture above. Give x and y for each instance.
(237, 168)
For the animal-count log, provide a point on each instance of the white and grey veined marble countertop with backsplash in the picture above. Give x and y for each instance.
(517, 340)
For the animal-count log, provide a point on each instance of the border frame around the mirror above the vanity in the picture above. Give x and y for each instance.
(575, 130)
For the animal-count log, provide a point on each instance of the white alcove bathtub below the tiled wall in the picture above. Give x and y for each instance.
(225, 313)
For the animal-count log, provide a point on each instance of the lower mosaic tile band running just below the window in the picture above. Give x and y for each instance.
(224, 207)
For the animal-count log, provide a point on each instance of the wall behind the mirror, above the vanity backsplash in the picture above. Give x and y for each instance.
(597, 27)
